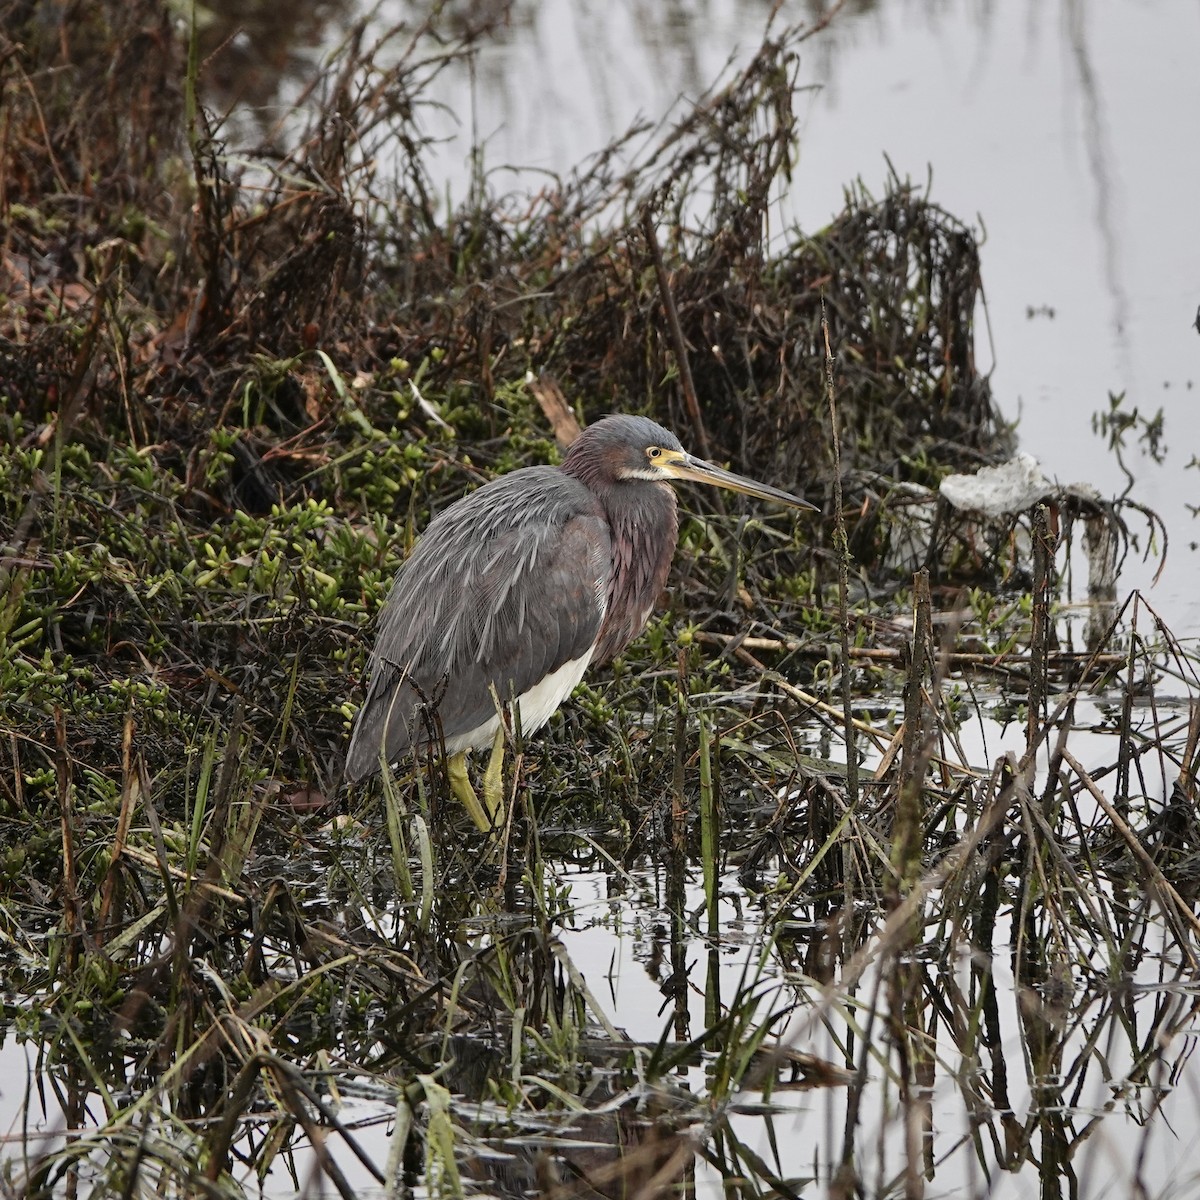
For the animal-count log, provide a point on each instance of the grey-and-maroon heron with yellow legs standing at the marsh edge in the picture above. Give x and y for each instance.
(514, 591)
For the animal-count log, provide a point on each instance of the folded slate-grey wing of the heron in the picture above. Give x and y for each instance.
(506, 587)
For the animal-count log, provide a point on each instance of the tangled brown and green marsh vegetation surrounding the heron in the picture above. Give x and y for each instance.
(895, 811)
